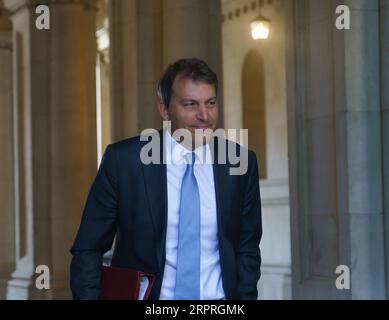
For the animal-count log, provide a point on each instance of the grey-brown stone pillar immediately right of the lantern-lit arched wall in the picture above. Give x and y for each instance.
(319, 232)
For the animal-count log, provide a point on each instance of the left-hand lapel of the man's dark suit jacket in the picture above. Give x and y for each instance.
(156, 190)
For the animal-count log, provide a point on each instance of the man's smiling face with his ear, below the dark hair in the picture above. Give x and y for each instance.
(192, 107)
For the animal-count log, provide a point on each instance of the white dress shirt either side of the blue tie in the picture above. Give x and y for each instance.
(211, 286)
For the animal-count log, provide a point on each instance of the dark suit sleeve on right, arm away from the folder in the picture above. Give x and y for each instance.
(249, 256)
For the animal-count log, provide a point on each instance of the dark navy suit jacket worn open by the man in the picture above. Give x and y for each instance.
(129, 199)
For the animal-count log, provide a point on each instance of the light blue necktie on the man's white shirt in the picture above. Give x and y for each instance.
(188, 253)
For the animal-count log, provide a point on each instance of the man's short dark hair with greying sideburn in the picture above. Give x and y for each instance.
(194, 69)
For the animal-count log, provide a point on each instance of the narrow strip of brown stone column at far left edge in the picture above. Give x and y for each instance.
(7, 230)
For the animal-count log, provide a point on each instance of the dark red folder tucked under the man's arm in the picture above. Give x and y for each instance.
(123, 284)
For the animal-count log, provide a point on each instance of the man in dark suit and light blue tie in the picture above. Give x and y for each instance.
(190, 222)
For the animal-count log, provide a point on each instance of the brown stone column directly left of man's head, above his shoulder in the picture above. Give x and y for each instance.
(135, 34)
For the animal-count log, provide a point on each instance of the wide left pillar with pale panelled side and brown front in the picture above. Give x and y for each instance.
(55, 138)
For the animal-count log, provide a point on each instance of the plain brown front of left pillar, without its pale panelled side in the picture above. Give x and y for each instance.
(73, 144)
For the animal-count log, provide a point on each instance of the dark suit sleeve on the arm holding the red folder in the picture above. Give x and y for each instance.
(96, 232)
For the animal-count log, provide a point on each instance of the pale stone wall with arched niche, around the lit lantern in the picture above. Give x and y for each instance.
(255, 99)
